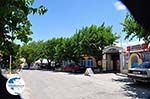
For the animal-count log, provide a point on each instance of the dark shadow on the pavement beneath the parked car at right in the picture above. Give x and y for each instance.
(134, 90)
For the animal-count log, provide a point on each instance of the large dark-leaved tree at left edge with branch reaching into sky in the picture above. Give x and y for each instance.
(14, 24)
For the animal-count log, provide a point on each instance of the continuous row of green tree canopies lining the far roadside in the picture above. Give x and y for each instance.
(86, 41)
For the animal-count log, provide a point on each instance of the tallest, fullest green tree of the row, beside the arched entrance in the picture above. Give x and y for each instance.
(92, 40)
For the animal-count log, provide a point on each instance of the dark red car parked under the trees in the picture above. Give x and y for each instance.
(72, 68)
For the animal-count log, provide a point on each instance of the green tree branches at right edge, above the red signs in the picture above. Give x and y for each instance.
(134, 29)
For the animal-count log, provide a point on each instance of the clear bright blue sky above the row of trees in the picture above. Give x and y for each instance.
(65, 16)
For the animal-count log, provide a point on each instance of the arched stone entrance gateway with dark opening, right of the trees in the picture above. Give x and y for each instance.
(113, 59)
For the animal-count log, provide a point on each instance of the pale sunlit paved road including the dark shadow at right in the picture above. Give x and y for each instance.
(57, 85)
